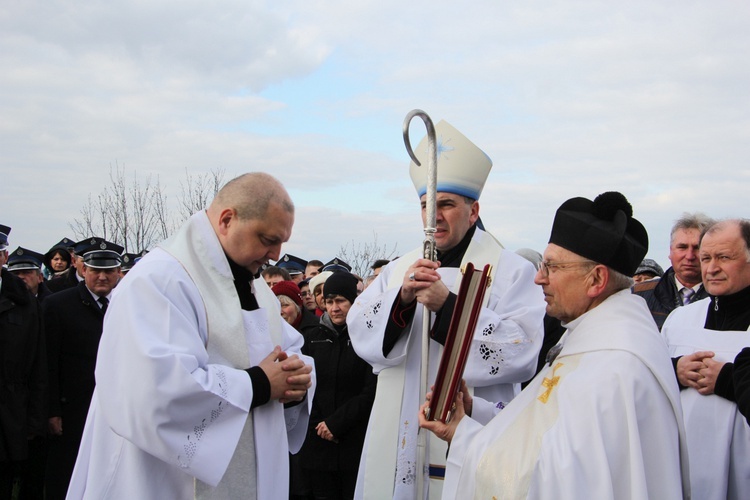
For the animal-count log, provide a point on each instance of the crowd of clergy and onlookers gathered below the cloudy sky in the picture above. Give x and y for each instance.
(199, 370)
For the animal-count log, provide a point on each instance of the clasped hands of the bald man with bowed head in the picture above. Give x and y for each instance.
(289, 376)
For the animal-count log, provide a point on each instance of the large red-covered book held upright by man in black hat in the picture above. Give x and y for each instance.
(460, 333)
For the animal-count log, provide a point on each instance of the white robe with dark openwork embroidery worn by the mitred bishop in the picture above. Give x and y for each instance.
(503, 354)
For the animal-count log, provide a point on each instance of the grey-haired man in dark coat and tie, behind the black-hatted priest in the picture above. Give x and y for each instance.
(681, 283)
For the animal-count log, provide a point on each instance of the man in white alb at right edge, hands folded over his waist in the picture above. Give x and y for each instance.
(705, 337)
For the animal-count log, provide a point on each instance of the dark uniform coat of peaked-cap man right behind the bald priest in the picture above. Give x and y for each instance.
(73, 322)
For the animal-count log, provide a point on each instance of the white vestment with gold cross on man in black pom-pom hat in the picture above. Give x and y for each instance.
(603, 422)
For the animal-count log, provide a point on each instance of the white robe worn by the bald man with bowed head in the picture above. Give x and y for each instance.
(166, 417)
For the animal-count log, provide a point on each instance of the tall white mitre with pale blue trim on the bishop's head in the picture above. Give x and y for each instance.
(462, 168)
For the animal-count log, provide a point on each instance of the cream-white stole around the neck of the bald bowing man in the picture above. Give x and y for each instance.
(199, 251)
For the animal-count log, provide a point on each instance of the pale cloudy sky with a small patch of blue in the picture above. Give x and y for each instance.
(568, 98)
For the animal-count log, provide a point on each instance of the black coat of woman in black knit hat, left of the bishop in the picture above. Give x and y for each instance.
(343, 399)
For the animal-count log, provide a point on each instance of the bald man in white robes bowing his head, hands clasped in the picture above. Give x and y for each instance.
(201, 391)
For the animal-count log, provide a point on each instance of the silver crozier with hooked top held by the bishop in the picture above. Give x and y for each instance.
(429, 251)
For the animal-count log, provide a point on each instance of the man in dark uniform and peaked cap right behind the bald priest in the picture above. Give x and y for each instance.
(73, 321)
